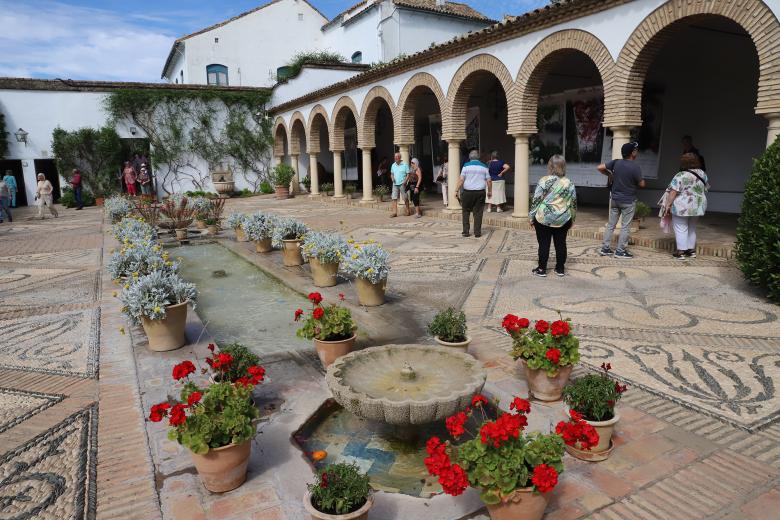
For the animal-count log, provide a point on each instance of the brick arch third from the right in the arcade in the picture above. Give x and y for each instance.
(454, 110)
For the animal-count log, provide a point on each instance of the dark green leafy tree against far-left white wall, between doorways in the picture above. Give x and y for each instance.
(96, 152)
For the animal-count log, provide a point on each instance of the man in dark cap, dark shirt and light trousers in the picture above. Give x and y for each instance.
(625, 179)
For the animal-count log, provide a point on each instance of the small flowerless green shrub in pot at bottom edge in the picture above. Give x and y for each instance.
(340, 489)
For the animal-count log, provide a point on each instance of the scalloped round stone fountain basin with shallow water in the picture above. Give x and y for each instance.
(405, 384)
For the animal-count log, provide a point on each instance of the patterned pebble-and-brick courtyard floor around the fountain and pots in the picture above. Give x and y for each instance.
(695, 344)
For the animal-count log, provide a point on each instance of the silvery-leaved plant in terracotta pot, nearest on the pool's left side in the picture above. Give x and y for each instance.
(158, 301)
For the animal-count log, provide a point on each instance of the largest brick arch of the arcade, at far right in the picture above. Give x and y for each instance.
(754, 16)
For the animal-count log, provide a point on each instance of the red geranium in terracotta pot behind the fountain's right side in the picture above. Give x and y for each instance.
(548, 351)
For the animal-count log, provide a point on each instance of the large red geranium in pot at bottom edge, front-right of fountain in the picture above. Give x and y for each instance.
(514, 471)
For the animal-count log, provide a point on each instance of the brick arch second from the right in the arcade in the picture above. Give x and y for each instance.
(543, 58)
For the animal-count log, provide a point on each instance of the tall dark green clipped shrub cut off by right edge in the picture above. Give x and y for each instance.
(758, 229)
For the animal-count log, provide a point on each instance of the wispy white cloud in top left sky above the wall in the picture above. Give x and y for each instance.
(50, 39)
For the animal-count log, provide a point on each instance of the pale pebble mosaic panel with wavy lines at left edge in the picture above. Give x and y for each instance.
(65, 343)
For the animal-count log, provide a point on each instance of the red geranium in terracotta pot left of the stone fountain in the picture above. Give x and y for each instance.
(216, 423)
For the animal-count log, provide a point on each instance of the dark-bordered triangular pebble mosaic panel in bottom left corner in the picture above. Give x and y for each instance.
(52, 476)
